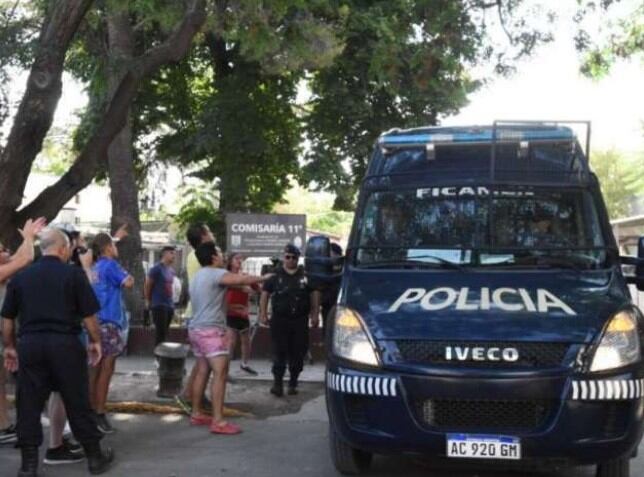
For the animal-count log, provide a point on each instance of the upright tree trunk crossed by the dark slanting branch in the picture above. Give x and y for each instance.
(120, 165)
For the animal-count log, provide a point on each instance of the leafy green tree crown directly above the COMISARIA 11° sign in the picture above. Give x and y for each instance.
(240, 132)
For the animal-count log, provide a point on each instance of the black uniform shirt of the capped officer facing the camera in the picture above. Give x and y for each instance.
(290, 294)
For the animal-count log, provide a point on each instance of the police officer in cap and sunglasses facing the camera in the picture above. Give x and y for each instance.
(293, 302)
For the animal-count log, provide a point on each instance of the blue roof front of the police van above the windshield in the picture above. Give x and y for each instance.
(505, 152)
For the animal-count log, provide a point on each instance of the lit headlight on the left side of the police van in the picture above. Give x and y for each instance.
(351, 340)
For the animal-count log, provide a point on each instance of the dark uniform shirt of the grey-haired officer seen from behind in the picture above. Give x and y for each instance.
(50, 297)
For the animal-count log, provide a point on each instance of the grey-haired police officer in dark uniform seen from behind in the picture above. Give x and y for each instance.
(50, 299)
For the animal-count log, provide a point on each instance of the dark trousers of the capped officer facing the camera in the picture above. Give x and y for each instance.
(290, 342)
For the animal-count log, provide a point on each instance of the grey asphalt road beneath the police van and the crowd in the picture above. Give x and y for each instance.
(286, 445)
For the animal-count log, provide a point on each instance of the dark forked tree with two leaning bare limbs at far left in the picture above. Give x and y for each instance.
(39, 102)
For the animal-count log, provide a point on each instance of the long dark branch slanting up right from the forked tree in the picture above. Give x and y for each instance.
(94, 155)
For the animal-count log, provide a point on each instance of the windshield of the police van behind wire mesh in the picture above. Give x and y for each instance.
(479, 226)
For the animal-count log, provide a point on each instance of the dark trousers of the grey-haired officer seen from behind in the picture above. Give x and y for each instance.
(53, 362)
